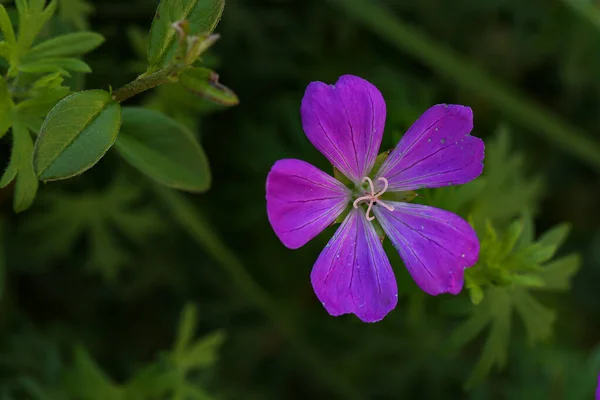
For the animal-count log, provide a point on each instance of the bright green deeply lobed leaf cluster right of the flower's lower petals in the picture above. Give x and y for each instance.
(510, 265)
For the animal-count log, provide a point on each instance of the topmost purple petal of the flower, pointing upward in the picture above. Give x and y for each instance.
(345, 122)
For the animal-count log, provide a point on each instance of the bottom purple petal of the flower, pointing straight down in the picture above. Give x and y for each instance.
(353, 274)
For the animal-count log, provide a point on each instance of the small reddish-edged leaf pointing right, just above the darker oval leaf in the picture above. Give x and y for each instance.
(205, 83)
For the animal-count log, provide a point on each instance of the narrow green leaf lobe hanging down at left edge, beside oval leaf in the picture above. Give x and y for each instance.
(21, 167)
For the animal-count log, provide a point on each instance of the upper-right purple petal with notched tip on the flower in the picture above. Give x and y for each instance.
(436, 151)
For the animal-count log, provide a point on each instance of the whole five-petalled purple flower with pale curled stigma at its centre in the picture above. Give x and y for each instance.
(345, 122)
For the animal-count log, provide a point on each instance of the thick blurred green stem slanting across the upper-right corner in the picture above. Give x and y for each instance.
(450, 65)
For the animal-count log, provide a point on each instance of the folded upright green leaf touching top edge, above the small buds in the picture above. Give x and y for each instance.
(202, 15)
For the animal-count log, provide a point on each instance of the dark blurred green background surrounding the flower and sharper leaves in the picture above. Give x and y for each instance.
(103, 263)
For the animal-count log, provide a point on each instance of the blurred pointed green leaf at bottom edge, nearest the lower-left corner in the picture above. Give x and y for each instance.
(87, 381)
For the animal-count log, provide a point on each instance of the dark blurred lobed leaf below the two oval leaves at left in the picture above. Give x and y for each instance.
(100, 217)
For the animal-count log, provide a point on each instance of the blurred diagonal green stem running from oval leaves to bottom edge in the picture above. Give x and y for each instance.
(190, 219)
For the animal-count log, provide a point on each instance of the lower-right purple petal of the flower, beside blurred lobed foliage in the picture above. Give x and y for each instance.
(435, 245)
